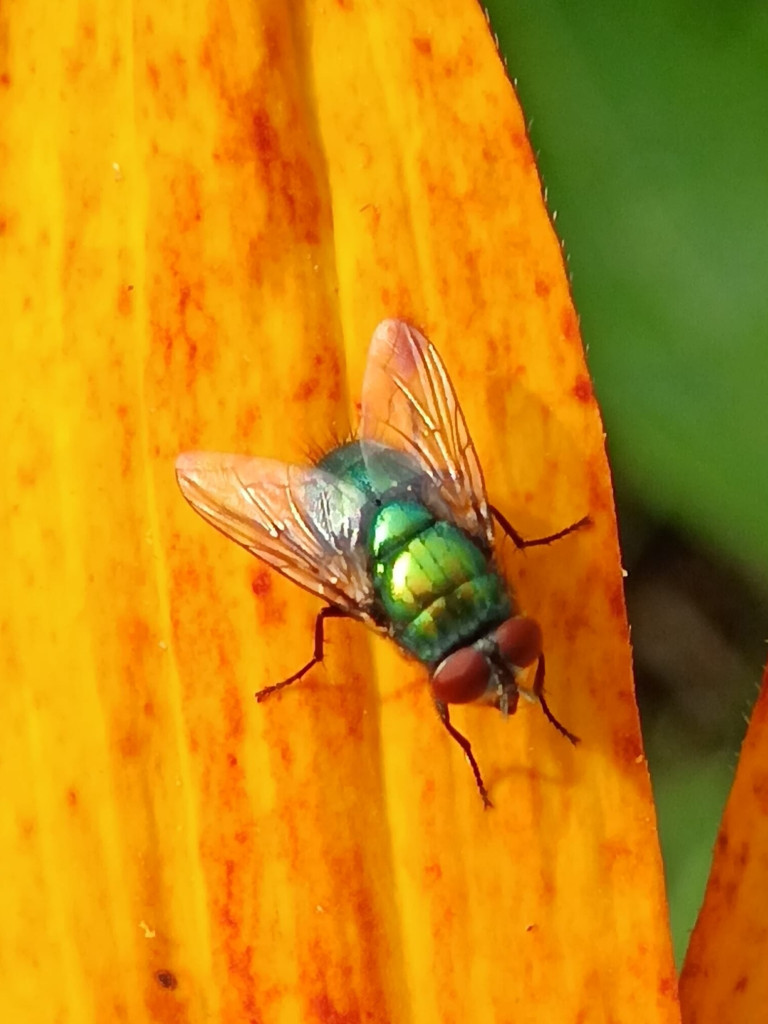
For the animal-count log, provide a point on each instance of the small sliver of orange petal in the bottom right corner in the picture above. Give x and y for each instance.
(724, 976)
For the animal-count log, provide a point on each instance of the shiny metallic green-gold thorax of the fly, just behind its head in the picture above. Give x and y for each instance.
(435, 584)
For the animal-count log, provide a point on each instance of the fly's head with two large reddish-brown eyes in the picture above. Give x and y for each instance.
(488, 670)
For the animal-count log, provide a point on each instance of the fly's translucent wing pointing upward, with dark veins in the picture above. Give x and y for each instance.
(409, 404)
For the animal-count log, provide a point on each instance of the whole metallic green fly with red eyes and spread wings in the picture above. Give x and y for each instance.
(394, 530)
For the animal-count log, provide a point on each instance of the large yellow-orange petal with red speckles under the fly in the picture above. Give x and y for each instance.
(206, 209)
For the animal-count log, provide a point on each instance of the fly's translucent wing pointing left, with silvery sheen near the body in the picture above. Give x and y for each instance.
(304, 522)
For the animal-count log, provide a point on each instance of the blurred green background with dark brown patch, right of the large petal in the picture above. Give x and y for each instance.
(651, 126)
